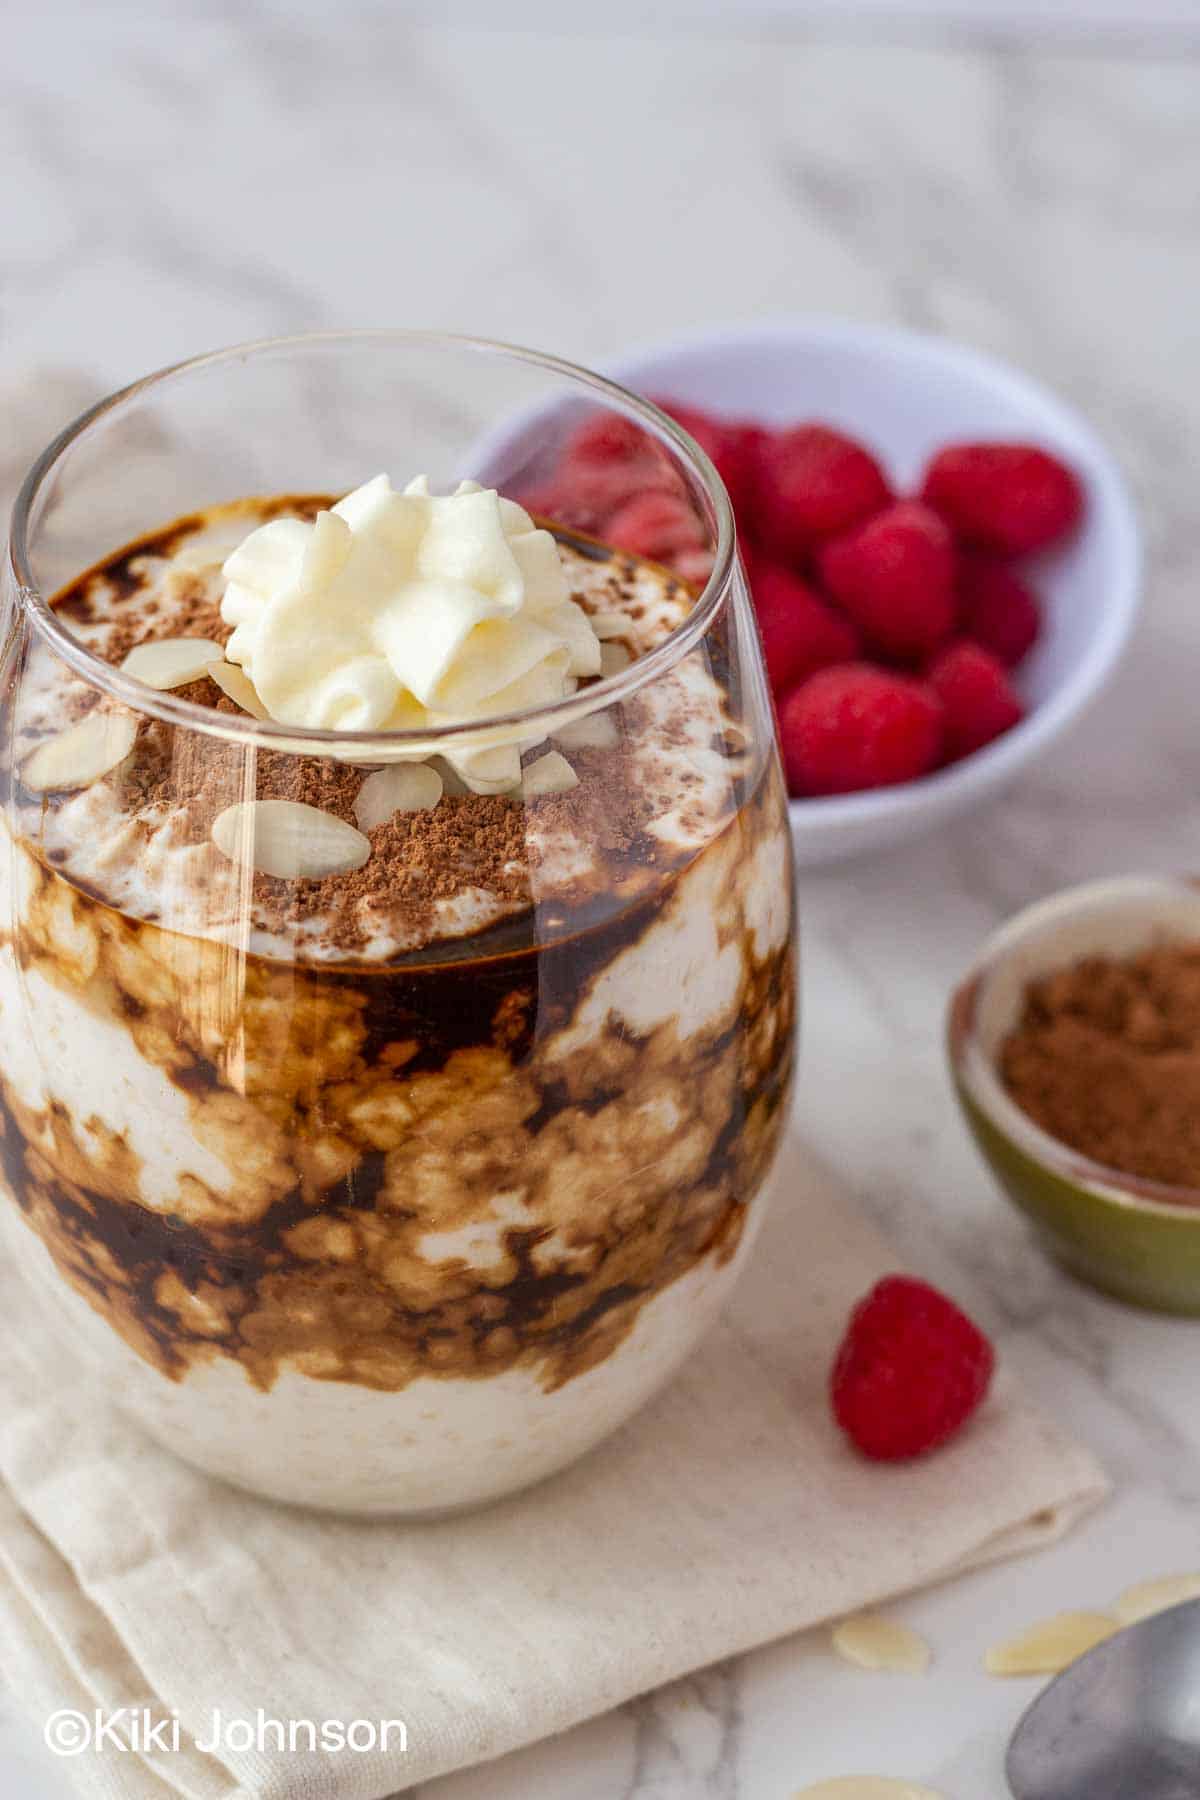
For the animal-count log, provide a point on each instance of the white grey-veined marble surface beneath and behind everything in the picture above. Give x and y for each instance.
(174, 186)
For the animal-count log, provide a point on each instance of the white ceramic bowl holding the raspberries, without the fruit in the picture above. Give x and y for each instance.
(906, 395)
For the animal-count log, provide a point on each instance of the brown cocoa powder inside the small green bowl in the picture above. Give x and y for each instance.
(1107, 1059)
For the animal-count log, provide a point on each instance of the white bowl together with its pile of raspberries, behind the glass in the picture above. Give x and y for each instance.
(927, 496)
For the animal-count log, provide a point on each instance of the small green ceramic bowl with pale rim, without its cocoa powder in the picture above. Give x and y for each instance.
(1134, 1239)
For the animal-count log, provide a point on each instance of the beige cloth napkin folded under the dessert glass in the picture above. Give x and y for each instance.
(728, 1515)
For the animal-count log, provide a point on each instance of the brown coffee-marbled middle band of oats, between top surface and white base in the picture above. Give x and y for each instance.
(375, 1176)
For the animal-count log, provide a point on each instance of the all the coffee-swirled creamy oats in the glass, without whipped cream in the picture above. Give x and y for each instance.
(399, 1234)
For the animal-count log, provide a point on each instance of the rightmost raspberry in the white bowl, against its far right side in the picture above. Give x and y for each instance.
(1003, 498)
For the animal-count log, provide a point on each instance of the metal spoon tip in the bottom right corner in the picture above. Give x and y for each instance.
(1124, 1723)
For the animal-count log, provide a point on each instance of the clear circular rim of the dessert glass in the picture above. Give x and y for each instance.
(274, 735)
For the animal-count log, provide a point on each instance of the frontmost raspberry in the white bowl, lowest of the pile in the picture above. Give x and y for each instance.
(855, 728)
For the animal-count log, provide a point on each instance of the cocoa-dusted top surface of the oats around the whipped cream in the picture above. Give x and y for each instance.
(659, 778)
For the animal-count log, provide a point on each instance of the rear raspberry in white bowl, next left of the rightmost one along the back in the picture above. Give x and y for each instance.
(814, 483)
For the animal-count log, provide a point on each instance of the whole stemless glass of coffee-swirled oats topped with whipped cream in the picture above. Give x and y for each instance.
(397, 994)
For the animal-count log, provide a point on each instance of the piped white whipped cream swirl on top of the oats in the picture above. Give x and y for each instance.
(409, 611)
